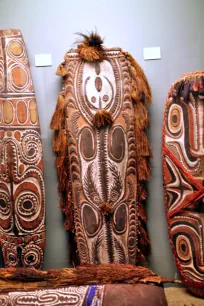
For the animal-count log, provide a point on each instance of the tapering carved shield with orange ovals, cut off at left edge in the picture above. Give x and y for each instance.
(22, 203)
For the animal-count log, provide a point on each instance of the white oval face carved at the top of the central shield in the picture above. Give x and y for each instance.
(98, 87)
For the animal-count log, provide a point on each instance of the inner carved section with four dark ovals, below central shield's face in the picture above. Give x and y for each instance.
(103, 158)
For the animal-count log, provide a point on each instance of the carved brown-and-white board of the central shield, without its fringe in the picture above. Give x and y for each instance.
(103, 169)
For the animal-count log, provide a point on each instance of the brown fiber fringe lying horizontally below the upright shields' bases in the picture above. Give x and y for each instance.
(31, 279)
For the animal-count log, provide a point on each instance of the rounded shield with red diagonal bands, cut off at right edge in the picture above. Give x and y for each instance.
(183, 170)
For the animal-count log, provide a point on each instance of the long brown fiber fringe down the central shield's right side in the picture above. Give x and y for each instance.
(141, 96)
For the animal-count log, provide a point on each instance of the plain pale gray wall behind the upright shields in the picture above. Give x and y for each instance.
(48, 26)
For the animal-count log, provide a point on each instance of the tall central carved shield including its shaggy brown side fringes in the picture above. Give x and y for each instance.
(105, 192)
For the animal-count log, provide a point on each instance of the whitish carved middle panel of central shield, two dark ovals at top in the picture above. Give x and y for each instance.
(104, 160)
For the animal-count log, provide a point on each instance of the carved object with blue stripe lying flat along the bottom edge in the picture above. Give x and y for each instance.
(121, 294)
